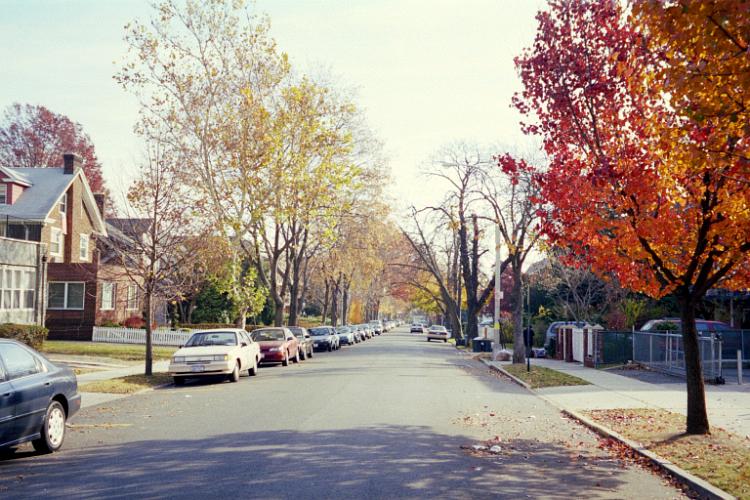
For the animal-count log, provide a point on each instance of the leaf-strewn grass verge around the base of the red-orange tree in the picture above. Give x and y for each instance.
(721, 458)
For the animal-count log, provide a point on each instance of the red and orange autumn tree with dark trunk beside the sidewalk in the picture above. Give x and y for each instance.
(636, 185)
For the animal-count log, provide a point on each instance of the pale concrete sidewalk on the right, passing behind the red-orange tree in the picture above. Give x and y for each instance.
(728, 405)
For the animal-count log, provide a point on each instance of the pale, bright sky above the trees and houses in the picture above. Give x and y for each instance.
(427, 72)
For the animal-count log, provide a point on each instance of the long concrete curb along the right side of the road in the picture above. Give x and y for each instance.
(697, 484)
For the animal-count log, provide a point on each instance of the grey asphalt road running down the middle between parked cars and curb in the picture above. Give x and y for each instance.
(390, 418)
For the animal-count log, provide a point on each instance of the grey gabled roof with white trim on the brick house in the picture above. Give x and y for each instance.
(45, 188)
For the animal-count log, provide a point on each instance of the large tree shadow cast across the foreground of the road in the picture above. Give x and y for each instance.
(375, 462)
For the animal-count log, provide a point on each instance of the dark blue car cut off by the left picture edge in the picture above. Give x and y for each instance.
(36, 398)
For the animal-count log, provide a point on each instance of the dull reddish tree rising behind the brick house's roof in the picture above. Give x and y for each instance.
(34, 136)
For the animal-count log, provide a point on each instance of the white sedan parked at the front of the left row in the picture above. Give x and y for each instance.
(227, 352)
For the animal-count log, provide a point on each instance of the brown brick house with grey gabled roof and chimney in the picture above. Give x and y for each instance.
(55, 206)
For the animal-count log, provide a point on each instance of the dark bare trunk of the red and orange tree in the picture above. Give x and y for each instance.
(697, 416)
